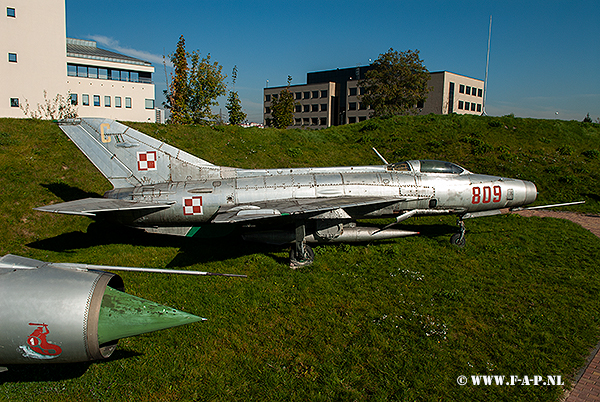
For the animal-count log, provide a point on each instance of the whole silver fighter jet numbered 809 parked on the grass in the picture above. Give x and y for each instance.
(162, 189)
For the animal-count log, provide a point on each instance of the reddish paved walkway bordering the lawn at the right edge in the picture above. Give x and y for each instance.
(587, 387)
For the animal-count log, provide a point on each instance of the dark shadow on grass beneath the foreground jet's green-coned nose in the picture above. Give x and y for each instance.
(56, 371)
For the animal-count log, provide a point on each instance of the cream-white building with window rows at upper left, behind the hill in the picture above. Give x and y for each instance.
(39, 57)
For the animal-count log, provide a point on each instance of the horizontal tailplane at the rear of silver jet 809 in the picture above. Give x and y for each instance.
(94, 206)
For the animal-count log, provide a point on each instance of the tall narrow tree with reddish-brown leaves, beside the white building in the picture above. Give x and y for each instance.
(178, 92)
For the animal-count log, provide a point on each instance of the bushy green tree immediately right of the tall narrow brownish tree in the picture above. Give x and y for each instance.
(206, 84)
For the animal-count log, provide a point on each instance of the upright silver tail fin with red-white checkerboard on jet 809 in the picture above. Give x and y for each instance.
(127, 157)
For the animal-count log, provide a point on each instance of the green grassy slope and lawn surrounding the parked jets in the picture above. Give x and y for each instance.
(388, 320)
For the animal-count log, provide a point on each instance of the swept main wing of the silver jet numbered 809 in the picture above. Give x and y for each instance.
(299, 206)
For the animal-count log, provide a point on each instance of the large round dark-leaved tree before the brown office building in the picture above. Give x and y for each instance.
(396, 84)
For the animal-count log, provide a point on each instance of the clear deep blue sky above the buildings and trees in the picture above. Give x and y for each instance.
(544, 59)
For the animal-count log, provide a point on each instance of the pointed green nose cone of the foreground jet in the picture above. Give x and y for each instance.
(123, 315)
